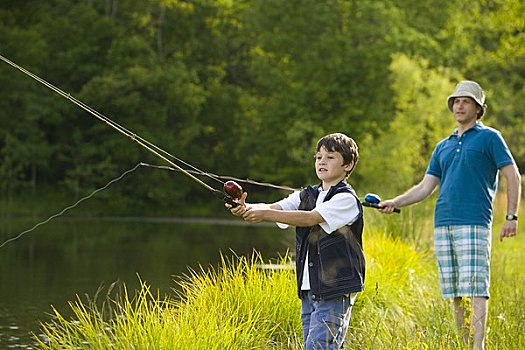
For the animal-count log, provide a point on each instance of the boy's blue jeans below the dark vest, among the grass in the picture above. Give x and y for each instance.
(325, 322)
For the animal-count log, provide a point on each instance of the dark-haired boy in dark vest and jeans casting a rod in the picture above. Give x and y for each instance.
(330, 262)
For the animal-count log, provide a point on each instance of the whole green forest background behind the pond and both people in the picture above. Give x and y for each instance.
(241, 88)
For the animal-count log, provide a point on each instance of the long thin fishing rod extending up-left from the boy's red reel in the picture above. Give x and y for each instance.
(159, 152)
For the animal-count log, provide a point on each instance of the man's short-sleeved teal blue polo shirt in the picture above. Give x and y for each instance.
(467, 167)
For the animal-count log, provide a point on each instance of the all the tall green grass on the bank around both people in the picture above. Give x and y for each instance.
(241, 306)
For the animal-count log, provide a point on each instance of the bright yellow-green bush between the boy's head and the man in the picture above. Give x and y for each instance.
(421, 119)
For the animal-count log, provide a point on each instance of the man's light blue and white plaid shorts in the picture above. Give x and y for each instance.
(463, 256)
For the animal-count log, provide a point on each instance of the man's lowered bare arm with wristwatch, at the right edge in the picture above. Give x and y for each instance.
(511, 173)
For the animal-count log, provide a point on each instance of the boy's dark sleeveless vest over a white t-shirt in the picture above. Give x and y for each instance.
(336, 260)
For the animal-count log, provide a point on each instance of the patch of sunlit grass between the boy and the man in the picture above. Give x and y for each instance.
(400, 307)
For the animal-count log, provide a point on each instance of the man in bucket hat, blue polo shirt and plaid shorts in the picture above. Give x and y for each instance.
(465, 165)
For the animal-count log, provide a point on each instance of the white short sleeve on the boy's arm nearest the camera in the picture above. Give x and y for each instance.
(340, 210)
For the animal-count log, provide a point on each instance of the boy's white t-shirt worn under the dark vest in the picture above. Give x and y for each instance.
(339, 211)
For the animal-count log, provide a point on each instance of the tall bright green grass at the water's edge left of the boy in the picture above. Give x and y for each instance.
(238, 306)
